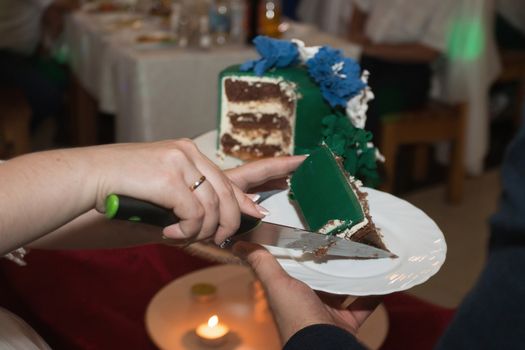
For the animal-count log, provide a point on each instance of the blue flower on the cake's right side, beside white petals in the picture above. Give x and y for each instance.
(339, 78)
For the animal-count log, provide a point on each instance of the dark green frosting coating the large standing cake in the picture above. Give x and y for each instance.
(311, 106)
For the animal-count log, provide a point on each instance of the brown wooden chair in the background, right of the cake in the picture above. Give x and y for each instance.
(434, 123)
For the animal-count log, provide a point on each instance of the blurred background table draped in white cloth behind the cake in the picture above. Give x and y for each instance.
(155, 90)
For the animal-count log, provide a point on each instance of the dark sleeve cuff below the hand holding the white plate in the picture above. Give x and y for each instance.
(322, 336)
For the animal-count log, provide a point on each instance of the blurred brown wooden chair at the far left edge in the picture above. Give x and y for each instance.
(15, 118)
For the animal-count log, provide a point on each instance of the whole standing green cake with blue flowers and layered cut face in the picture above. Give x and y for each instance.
(293, 98)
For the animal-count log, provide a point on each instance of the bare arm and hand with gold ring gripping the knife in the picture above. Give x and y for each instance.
(43, 191)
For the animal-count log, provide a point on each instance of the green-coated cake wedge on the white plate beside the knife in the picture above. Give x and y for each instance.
(330, 199)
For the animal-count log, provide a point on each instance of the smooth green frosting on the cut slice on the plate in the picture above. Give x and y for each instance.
(323, 193)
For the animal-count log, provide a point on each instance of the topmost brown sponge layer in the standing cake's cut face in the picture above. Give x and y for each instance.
(242, 91)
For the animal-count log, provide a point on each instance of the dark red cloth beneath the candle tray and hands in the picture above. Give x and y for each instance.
(97, 299)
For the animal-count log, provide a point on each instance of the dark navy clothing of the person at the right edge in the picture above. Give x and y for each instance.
(492, 316)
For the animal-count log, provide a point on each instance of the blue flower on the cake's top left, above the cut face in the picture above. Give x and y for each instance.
(274, 54)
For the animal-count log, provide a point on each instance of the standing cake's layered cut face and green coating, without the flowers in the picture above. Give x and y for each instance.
(276, 114)
